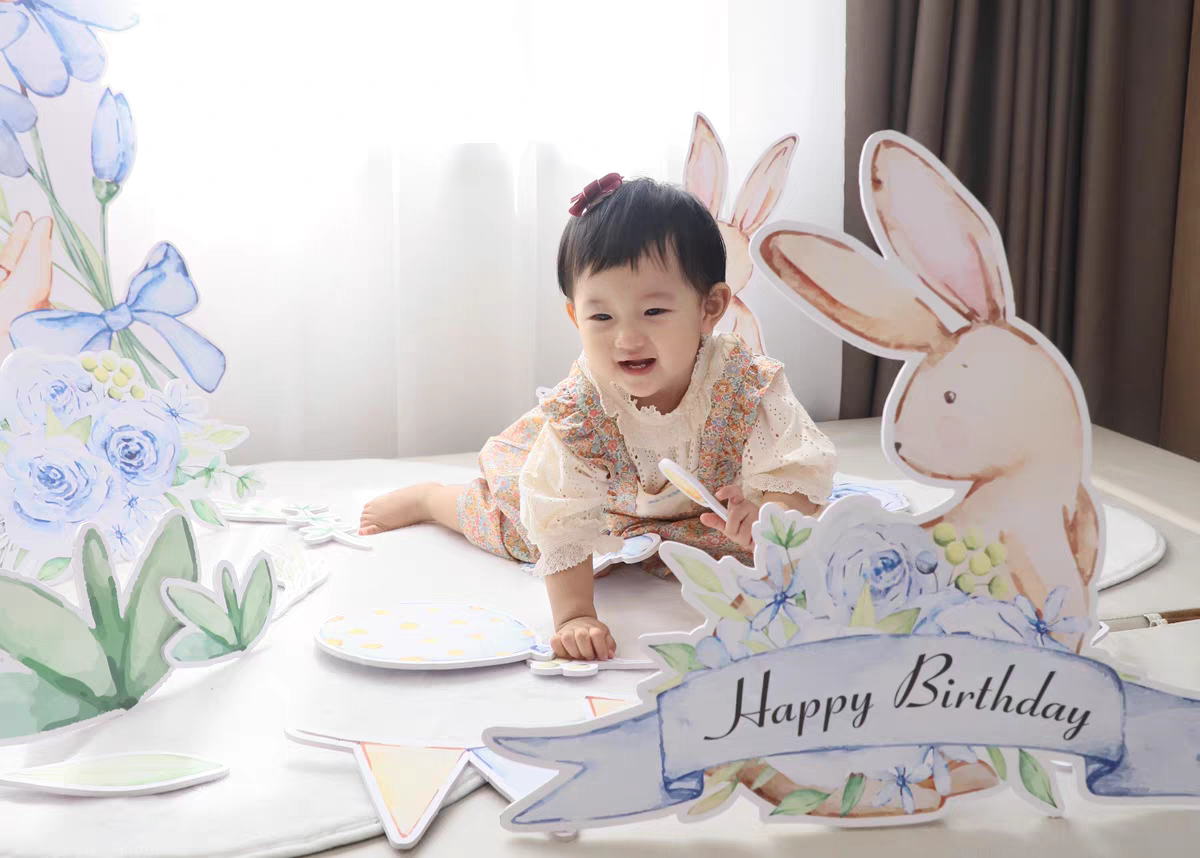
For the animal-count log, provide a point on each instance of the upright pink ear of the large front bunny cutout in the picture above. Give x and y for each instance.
(938, 230)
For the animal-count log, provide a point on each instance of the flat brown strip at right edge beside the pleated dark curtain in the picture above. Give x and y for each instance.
(1181, 391)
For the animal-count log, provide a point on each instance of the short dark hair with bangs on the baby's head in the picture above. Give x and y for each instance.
(640, 219)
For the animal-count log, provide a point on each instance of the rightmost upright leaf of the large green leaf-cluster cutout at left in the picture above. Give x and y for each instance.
(151, 625)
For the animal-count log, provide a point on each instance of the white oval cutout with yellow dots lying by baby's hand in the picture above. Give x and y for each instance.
(430, 637)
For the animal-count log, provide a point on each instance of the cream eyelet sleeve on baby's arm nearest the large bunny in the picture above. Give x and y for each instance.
(787, 453)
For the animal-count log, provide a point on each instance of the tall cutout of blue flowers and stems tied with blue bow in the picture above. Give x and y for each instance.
(80, 308)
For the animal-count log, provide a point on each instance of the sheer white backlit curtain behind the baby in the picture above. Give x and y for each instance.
(370, 197)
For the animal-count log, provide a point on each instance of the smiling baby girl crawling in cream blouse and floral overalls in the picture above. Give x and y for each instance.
(643, 268)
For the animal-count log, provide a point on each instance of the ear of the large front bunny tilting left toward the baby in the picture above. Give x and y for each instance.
(854, 291)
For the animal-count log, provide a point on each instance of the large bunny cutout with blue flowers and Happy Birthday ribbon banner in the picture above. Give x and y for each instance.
(873, 668)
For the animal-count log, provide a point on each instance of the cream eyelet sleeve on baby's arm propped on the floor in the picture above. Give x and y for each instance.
(562, 505)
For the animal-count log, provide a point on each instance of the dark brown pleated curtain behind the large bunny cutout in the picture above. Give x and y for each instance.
(1066, 119)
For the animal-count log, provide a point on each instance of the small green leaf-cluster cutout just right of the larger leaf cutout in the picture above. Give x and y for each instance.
(221, 623)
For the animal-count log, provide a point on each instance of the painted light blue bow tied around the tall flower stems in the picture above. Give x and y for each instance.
(158, 295)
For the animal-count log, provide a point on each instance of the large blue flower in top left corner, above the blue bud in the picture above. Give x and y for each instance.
(57, 43)
